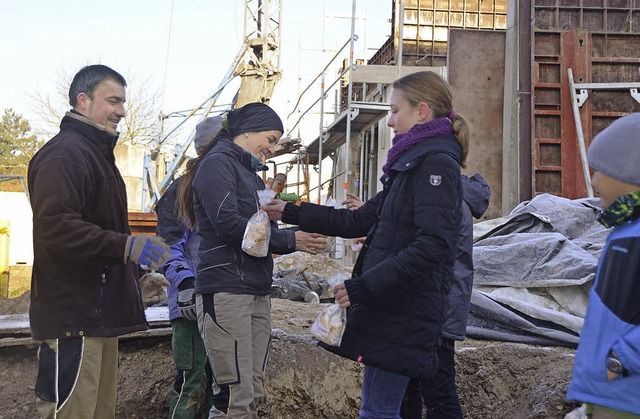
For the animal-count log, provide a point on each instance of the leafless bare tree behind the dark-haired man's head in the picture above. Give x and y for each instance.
(140, 127)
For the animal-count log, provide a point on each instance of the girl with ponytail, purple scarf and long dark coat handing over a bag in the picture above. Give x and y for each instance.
(396, 299)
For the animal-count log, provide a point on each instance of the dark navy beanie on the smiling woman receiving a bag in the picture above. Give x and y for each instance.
(253, 117)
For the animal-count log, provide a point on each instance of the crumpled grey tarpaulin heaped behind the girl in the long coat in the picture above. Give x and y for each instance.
(533, 271)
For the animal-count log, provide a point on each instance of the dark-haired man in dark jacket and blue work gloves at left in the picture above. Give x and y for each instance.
(84, 291)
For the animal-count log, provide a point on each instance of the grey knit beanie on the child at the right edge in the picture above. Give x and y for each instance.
(616, 150)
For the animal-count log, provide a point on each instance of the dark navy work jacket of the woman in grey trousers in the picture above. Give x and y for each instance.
(225, 197)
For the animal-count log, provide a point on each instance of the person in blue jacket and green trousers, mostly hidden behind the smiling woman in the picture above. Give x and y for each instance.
(192, 395)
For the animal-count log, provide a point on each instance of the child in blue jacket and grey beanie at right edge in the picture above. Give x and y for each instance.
(606, 371)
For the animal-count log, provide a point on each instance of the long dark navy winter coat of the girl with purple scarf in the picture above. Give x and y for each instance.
(398, 297)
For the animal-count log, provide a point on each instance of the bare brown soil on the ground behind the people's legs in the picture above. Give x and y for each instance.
(495, 379)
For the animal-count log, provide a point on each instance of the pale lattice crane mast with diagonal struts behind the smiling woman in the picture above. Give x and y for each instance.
(257, 64)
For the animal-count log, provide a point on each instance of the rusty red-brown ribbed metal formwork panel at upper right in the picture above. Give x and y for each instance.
(599, 41)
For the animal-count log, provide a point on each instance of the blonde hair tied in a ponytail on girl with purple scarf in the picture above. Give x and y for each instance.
(430, 88)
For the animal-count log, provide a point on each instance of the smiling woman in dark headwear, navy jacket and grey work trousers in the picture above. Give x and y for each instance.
(218, 195)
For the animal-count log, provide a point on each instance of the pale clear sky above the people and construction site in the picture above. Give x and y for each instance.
(42, 40)
